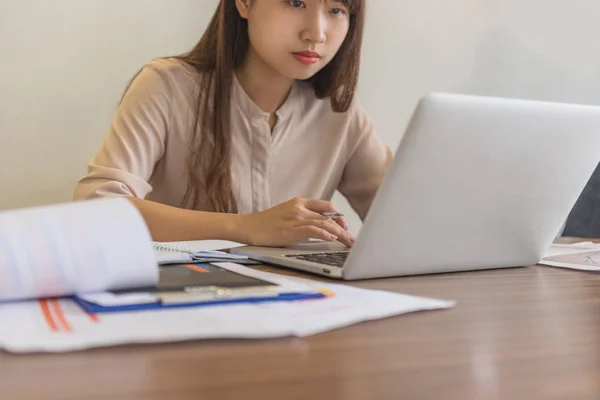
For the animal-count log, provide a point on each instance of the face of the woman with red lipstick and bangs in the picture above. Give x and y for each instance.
(295, 38)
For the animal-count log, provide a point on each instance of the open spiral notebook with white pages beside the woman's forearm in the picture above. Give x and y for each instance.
(205, 251)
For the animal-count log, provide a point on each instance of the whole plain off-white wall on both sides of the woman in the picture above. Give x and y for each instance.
(65, 63)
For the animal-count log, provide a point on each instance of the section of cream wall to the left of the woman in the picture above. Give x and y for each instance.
(63, 67)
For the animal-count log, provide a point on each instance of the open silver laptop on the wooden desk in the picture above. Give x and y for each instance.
(476, 183)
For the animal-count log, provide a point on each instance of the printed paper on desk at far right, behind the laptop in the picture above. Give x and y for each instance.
(583, 256)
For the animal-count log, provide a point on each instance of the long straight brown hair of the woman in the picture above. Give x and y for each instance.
(222, 48)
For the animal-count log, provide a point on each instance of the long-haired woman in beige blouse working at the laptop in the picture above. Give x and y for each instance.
(261, 111)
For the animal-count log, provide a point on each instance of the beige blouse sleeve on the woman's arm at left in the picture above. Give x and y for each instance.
(135, 142)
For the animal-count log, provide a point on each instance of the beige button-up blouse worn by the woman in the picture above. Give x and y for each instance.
(311, 152)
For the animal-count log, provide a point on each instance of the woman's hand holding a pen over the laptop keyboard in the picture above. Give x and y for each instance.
(292, 222)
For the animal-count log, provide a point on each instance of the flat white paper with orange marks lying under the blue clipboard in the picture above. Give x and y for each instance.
(63, 326)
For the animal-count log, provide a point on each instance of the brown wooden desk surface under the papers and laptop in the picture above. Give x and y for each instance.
(525, 333)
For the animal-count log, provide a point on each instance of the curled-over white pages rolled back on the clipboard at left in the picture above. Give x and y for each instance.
(79, 247)
